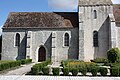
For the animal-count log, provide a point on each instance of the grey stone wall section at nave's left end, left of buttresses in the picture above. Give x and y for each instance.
(9, 50)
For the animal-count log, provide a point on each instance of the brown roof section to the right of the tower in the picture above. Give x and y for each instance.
(116, 11)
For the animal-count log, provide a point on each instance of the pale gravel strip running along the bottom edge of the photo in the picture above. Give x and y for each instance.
(23, 77)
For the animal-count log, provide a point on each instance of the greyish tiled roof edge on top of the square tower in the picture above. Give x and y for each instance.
(95, 2)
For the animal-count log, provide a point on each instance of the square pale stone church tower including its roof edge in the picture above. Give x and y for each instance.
(94, 28)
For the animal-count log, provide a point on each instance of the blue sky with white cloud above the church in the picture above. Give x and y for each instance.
(7, 6)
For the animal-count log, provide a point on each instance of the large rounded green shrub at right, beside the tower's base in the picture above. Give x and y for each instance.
(113, 55)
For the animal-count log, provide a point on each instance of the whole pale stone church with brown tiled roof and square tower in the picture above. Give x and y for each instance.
(83, 35)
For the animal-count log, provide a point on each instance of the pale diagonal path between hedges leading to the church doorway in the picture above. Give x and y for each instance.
(20, 71)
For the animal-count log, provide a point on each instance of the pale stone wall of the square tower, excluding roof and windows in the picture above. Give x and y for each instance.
(88, 24)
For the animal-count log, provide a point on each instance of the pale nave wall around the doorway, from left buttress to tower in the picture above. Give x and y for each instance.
(52, 40)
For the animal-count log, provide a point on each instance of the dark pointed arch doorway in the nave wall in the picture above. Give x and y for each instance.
(41, 54)
